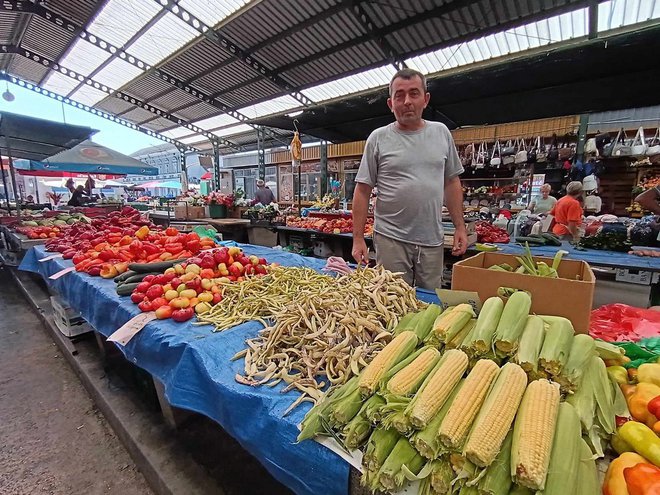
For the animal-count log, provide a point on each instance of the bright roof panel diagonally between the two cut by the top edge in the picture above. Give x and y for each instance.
(162, 39)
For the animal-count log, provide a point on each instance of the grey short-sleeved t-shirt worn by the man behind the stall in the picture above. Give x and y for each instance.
(410, 168)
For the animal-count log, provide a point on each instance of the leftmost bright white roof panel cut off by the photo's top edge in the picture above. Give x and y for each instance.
(119, 20)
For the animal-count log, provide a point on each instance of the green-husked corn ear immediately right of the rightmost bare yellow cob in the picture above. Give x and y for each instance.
(565, 456)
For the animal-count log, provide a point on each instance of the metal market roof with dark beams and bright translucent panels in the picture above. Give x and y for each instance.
(205, 72)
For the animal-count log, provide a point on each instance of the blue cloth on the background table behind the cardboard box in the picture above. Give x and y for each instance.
(611, 259)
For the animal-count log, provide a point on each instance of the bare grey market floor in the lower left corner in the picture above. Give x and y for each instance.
(54, 441)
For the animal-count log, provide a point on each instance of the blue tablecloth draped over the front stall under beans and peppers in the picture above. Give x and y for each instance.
(193, 363)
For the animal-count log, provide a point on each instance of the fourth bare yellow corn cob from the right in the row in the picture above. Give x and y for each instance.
(436, 388)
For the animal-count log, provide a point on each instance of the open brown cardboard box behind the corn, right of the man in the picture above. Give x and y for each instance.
(565, 296)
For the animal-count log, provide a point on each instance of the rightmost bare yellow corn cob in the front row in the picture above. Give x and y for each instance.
(533, 433)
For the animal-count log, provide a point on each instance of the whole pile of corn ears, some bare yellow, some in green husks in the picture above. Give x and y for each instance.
(505, 404)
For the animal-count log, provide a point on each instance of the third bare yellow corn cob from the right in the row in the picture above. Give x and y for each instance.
(464, 408)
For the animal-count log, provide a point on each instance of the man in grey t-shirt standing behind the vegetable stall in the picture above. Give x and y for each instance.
(415, 165)
